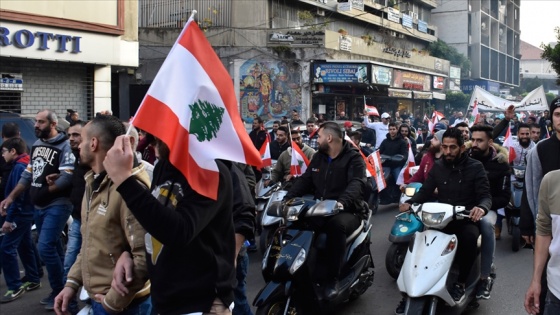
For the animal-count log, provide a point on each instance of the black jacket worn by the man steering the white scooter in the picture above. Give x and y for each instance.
(459, 183)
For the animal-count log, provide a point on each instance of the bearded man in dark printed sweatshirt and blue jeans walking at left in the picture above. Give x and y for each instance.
(50, 154)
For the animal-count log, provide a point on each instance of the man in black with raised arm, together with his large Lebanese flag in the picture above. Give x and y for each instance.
(188, 215)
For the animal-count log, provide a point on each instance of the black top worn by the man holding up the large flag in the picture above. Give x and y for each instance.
(194, 264)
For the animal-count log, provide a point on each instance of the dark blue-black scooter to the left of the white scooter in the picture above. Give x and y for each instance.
(292, 265)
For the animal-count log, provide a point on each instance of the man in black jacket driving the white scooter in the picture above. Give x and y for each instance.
(460, 181)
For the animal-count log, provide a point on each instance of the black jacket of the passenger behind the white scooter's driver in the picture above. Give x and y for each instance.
(498, 177)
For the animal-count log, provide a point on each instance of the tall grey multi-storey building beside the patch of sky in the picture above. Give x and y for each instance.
(487, 31)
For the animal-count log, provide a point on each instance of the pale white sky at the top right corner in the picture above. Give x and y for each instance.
(538, 19)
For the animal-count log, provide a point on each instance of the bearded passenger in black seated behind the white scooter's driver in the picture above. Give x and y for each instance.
(499, 179)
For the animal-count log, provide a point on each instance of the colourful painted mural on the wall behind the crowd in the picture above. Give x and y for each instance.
(269, 89)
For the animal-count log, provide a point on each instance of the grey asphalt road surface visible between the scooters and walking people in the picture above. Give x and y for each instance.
(513, 277)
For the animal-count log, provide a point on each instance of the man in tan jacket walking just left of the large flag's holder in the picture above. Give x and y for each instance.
(109, 229)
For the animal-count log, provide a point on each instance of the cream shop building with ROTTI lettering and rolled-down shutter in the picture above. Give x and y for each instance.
(67, 55)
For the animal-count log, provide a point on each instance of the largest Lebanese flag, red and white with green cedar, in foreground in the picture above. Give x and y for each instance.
(192, 107)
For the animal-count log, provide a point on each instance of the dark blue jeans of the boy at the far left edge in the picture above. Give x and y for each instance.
(19, 242)
